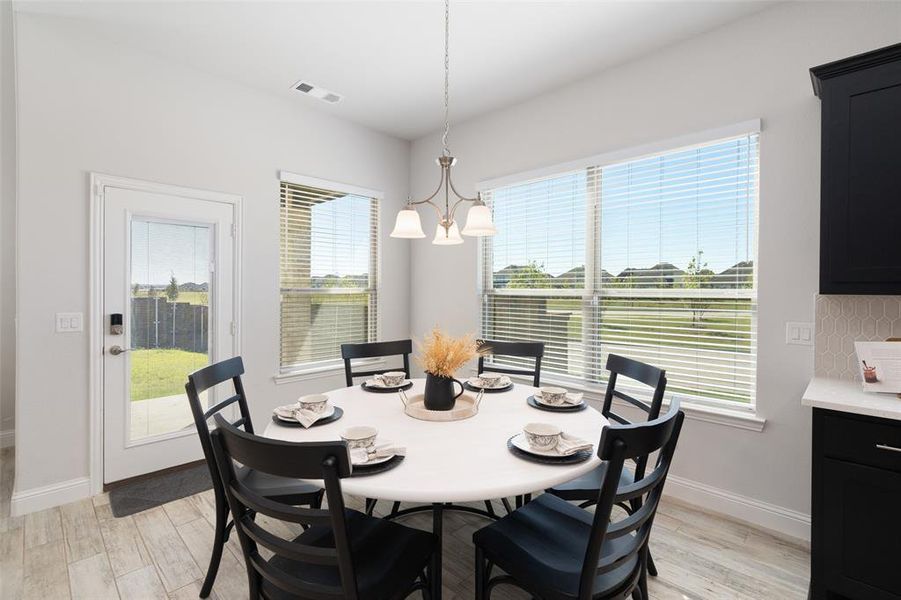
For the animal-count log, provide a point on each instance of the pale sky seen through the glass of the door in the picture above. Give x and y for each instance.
(160, 250)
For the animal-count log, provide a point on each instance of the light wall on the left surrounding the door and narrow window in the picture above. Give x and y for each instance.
(87, 105)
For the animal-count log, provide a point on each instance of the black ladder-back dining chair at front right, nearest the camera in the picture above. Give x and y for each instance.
(555, 550)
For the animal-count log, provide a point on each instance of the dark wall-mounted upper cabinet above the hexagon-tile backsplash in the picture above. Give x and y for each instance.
(860, 196)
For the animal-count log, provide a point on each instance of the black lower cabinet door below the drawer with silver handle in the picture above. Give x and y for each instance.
(861, 530)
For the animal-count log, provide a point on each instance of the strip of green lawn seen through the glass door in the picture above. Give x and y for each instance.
(162, 372)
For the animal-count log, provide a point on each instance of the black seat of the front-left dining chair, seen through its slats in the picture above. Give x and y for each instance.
(387, 557)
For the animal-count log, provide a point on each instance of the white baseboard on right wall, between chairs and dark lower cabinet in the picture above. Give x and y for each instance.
(777, 519)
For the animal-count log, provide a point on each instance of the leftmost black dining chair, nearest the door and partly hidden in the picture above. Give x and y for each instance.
(290, 491)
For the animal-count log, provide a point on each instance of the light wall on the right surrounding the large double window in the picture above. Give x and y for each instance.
(755, 67)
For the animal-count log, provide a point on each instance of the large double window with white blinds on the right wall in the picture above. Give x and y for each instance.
(652, 258)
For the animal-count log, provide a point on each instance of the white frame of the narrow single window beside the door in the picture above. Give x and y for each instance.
(326, 368)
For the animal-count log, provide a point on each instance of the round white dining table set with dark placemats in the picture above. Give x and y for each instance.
(454, 461)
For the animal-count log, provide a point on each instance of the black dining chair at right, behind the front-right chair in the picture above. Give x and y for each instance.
(585, 489)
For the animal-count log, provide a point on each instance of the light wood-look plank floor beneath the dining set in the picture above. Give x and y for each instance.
(81, 551)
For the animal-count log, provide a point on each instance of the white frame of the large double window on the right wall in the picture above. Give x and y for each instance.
(730, 412)
